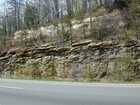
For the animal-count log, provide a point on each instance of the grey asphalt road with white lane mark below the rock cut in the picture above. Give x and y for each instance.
(25, 92)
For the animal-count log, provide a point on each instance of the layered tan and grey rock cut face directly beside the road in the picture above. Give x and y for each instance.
(80, 61)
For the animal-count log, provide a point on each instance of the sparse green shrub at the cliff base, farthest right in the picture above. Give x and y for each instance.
(122, 69)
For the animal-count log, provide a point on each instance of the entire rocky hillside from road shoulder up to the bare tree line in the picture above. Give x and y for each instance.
(100, 45)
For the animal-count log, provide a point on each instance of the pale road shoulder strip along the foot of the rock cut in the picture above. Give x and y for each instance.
(115, 85)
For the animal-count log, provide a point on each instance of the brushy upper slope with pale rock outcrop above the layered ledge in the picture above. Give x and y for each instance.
(115, 21)
